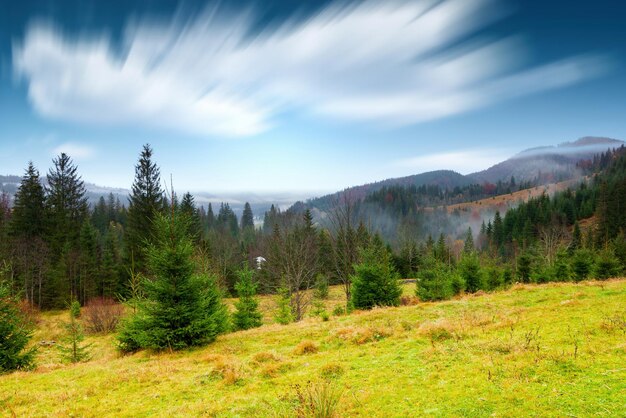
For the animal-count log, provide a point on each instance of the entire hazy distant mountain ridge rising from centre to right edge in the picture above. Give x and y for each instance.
(549, 163)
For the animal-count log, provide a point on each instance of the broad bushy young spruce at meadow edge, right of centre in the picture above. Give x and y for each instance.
(375, 280)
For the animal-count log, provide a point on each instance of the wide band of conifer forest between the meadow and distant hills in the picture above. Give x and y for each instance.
(58, 251)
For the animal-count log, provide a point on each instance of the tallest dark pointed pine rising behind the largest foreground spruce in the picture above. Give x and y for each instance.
(145, 201)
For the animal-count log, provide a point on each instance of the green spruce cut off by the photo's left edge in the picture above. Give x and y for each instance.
(15, 333)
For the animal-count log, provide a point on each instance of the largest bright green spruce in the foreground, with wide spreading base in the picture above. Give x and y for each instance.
(180, 309)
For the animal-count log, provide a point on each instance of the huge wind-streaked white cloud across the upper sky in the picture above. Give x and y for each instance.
(390, 63)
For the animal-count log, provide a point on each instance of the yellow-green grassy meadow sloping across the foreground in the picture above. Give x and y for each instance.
(546, 350)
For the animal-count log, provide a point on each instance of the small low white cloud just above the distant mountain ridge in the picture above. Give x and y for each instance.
(463, 161)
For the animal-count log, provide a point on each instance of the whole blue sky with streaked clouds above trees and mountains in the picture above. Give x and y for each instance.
(303, 96)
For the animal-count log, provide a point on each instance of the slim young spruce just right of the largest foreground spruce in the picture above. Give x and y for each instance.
(247, 313)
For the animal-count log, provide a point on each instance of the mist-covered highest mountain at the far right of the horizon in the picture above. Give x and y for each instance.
(549, 164)
